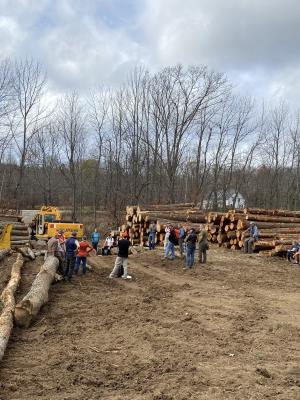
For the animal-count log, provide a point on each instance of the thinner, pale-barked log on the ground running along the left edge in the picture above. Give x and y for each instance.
(8, 301)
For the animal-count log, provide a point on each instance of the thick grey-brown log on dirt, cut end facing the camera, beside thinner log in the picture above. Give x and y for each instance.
(38, 293)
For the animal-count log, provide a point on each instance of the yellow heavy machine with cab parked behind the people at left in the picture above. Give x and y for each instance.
(49, 220)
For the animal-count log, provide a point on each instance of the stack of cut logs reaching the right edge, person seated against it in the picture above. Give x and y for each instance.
(278, 229)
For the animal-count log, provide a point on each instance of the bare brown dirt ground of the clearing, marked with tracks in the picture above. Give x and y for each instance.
(226, 330)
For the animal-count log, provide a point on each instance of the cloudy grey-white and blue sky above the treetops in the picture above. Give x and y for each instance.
(83, 43)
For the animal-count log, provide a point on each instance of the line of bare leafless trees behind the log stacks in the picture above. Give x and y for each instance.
(179, 134)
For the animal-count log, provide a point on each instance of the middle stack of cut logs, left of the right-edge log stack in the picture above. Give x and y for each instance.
(138, 219)
